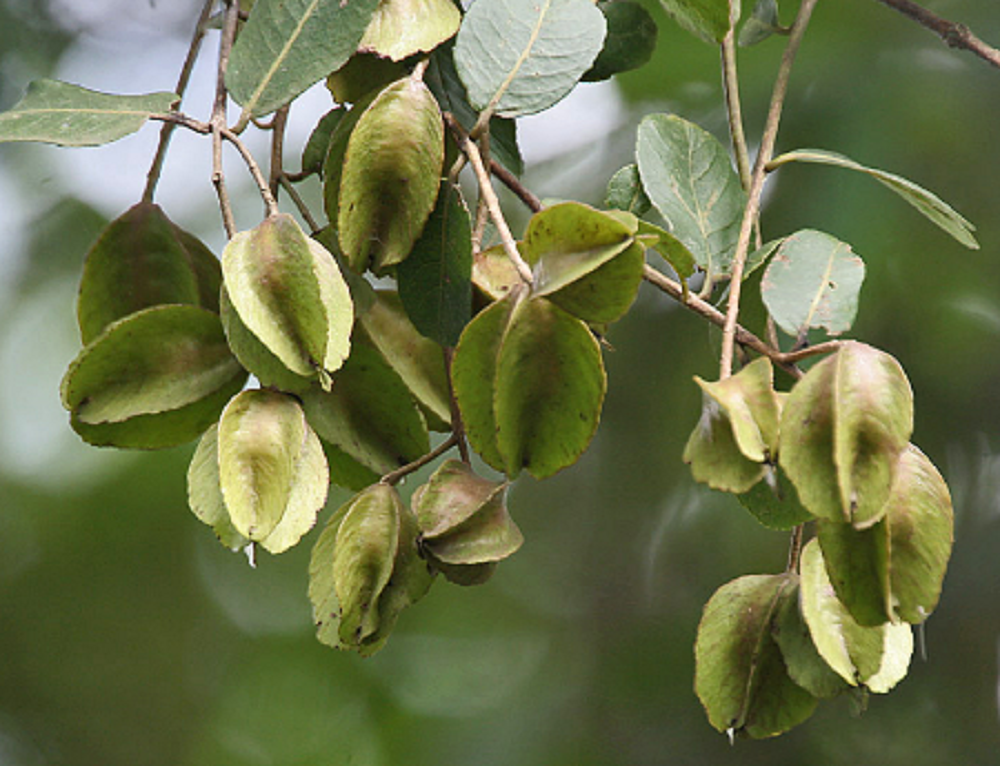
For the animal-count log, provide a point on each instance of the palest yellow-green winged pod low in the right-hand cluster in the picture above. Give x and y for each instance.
(876, 657)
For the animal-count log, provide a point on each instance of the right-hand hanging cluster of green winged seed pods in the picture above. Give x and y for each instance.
(770, 646)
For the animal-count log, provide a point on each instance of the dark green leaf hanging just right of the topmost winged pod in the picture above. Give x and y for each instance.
(435, 281)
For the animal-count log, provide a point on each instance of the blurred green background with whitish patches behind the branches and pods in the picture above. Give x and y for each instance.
(129, 636)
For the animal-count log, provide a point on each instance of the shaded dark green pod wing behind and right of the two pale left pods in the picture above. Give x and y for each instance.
(369, 413)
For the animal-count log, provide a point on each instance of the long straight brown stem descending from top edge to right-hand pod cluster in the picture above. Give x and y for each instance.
(752, 209)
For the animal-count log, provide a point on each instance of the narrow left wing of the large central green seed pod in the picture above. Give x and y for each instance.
(474, 375)
